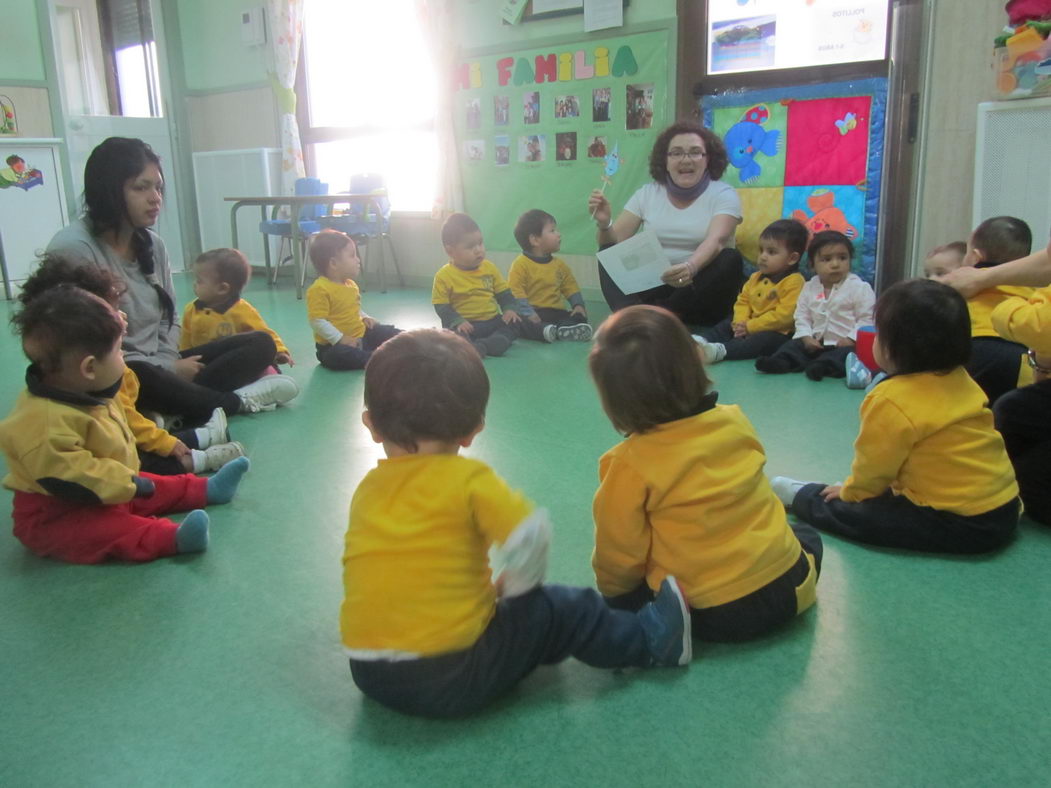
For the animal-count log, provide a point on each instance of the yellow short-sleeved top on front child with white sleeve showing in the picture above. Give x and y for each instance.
(416, 567)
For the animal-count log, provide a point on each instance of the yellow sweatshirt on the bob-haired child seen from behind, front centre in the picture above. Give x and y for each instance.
(690, 500)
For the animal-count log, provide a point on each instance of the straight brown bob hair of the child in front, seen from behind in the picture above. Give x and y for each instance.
(648, 369)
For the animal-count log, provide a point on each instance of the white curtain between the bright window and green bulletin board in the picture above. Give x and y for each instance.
(437, 20)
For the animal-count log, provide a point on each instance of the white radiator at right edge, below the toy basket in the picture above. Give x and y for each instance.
(1013, 167)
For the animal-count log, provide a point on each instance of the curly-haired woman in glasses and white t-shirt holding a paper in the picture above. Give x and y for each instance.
(694, 216)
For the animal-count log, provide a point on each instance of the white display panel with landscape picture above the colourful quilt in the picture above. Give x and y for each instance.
(760, 35)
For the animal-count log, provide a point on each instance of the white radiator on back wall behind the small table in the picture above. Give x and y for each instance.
(222, 174)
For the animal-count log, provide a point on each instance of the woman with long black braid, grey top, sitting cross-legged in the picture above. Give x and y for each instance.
(123, 195)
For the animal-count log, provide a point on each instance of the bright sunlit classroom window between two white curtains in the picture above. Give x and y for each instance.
(370, 89)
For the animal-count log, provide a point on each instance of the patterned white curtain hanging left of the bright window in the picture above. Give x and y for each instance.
(286, 34)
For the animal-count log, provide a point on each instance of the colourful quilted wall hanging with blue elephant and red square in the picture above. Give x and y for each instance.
(813, 153)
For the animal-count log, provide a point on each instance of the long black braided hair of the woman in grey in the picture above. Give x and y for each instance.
(114, 162)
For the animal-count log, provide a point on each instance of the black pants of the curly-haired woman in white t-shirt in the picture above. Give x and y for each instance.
(707, 301)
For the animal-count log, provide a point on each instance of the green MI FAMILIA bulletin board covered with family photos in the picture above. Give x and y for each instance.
(541, 129)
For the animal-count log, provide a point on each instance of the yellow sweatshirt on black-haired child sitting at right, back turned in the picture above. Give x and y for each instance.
(931, 438)
